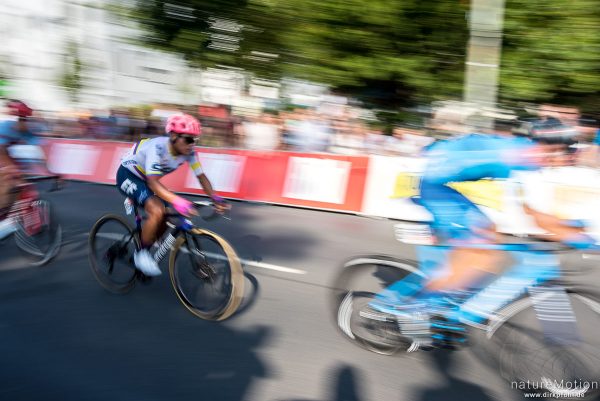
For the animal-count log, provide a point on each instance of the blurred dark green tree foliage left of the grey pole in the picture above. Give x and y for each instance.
(388, 53)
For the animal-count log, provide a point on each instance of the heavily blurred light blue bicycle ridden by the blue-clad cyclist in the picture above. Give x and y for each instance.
(532, 323)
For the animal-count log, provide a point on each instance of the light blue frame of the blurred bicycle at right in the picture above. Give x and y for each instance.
(532, 272)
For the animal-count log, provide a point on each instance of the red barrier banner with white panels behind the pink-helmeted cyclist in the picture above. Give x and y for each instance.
(311, 180)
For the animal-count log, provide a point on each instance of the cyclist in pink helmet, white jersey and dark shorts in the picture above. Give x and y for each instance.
(138, 178)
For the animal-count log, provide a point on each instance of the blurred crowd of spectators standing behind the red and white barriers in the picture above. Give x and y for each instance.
(300, 129)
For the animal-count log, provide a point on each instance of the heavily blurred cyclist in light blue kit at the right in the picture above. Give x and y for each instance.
(459, 224)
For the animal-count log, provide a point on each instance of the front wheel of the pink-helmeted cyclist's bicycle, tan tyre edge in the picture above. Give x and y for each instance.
(206, 274)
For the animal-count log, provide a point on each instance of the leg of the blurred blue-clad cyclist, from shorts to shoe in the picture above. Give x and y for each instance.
(457, 224)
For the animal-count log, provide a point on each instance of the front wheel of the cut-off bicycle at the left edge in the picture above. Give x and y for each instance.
(38, 233)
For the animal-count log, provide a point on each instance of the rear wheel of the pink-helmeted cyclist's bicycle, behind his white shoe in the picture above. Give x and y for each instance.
(112, 243)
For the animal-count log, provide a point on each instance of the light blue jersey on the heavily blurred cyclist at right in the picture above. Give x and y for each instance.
(476, 156)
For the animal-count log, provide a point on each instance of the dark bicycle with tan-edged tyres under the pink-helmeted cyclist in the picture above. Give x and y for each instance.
(205, 271)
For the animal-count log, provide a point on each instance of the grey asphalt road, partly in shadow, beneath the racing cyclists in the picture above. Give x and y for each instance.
(65, 338)
